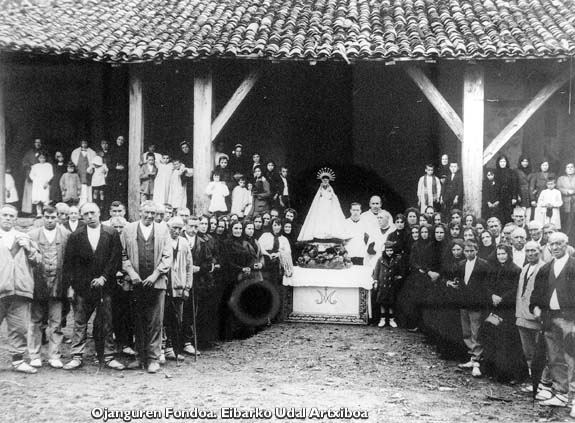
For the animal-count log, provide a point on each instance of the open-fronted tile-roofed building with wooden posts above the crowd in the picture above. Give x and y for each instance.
(373, 88)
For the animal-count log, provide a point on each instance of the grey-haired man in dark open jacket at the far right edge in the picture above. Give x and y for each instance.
(553, 300)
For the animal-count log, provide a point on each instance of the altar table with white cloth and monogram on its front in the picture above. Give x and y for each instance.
(329, 295)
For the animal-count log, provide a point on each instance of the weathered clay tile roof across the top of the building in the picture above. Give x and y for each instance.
(125, 31)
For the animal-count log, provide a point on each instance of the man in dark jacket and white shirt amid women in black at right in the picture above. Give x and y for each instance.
(471, 281)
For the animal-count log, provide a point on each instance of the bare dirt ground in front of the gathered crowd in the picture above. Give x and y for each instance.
(390, 375)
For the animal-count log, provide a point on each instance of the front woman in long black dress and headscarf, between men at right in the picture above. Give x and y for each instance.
(502, 351)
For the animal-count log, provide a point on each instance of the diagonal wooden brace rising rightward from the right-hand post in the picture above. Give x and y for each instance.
(517, 123)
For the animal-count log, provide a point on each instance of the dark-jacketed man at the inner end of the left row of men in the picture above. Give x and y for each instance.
(203, 266)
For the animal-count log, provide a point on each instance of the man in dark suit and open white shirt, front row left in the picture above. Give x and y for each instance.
(92, 259)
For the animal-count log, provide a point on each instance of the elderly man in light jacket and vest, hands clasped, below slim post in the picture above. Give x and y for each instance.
(147, 259)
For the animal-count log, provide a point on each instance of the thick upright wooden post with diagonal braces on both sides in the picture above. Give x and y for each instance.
(472, 147)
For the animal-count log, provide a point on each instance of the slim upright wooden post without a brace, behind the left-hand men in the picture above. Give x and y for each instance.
(135, 143)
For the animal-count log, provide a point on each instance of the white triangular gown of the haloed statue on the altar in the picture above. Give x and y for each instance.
(325, 219)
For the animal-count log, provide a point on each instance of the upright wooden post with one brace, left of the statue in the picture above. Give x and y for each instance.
(203, 162)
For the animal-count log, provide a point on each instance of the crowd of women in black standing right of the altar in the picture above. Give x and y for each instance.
(431, 250)
